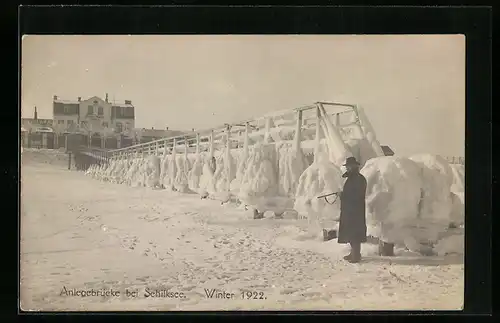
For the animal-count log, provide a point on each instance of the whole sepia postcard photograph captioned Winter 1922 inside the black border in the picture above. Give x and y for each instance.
(242, 172)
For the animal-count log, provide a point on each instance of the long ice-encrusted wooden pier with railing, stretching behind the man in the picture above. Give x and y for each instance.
(258, 162)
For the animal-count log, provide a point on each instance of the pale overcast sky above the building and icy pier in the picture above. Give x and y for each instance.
(411, 87)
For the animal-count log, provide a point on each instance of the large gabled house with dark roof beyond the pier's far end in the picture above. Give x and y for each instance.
(93, 115)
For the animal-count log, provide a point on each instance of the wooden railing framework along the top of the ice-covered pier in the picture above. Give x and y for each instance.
(278, 126)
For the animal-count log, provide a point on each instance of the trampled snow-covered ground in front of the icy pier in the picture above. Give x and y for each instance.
(79, 233)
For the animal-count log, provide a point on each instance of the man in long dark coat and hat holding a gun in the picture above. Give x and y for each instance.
(352, 227)
